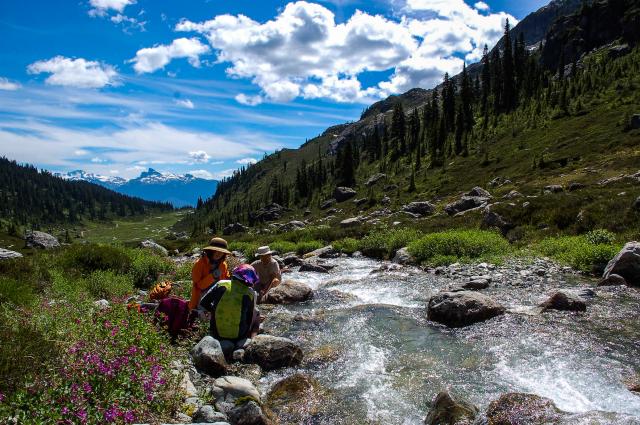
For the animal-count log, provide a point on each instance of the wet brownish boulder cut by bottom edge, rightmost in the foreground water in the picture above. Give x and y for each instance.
(520, 408)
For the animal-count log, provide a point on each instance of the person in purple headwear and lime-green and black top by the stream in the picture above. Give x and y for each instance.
(232, 303)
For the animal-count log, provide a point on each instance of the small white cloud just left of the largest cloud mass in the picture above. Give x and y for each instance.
(151, 59)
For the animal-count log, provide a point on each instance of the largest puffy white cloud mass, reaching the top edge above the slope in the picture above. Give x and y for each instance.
(303, 52)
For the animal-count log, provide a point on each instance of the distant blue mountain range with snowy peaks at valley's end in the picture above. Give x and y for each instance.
(179, 190)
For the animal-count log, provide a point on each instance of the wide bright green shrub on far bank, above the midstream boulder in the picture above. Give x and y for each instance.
(461, 245)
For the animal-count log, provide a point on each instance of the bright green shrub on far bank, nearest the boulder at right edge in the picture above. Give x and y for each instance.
(578, 252)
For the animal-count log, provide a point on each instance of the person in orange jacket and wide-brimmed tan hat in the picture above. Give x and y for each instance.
(210, 268)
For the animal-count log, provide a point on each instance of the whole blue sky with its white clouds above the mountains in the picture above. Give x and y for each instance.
(203, 86)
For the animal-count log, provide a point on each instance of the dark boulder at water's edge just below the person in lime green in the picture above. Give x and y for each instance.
(272, 352)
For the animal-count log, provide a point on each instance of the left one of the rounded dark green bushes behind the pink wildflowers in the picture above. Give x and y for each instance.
(87, 258)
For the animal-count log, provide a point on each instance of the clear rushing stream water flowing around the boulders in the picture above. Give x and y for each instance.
(387, 361)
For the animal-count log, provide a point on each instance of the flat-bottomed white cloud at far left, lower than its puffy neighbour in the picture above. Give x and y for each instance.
(75, 72)
